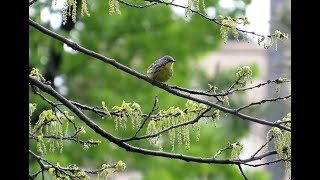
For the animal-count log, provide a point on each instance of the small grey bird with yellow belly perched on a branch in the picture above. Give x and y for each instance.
(162, 69)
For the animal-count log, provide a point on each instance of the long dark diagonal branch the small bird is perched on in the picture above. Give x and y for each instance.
(145, 78)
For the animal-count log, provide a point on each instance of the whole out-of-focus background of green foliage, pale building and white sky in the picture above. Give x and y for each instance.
(136, 38)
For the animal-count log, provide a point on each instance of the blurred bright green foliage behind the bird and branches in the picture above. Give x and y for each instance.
(136, 38)
